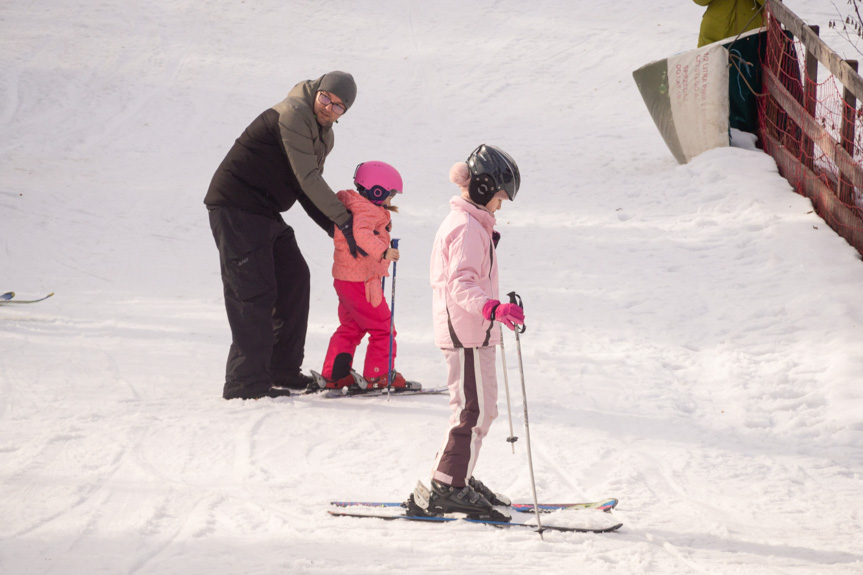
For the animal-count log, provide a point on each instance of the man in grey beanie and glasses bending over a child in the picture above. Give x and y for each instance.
(277, 161)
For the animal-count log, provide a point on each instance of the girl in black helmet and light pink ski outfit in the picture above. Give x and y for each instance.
(466, 307)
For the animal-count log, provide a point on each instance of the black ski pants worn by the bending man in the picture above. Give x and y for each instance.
(267, 286)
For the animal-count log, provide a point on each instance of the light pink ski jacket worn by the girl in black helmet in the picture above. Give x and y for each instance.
(463, 277)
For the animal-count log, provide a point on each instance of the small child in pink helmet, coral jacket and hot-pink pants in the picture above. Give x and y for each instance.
(357, 279)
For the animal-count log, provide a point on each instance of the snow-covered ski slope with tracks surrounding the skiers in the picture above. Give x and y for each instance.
(694, 342)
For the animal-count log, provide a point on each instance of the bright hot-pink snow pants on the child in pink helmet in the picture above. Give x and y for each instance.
(357, 318)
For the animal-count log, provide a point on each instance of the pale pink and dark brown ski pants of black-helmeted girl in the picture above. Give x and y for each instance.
(473, 400)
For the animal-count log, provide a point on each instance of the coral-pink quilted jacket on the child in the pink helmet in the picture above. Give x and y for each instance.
(371, 232)
